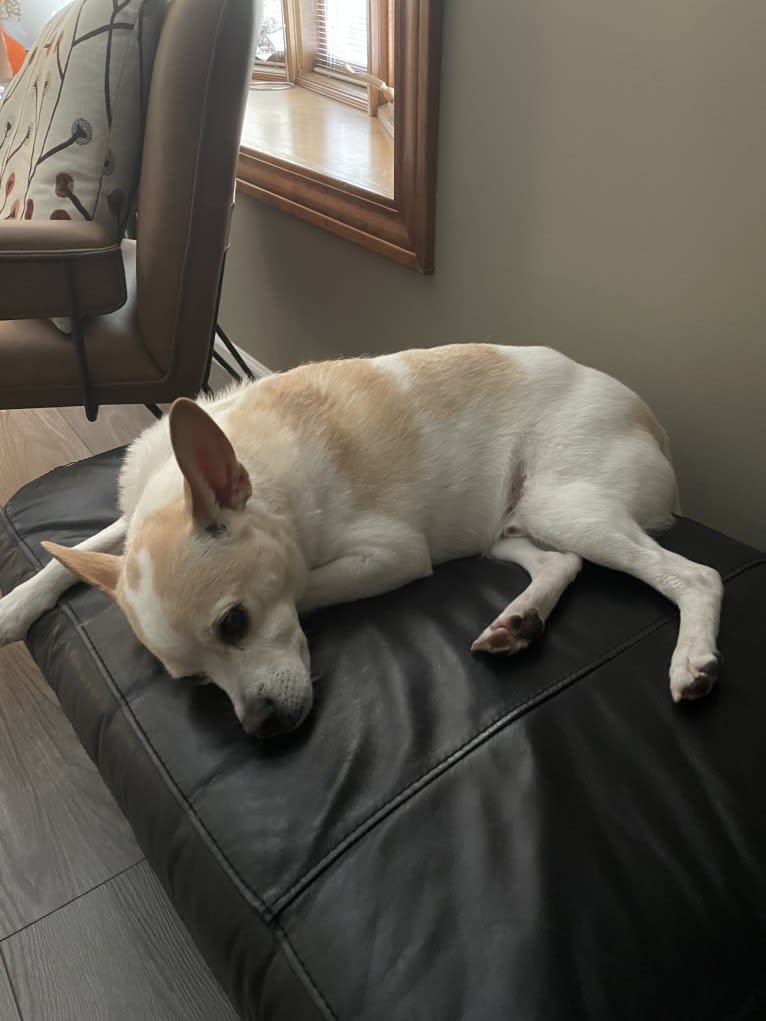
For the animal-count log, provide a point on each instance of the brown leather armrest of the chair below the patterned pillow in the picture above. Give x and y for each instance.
(42, 263)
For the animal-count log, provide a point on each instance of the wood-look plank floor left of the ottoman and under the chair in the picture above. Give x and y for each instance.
(86, 932)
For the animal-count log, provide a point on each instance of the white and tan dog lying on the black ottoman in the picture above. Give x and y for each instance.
(346, 479)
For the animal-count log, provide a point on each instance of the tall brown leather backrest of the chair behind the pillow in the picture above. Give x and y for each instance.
(186, 192)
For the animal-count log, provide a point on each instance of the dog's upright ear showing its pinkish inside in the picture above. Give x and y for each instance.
(215, 478)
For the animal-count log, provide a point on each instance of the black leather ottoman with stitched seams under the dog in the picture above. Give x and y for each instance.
(542, 839)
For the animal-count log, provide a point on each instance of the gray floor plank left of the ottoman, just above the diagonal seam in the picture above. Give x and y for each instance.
(61, 832)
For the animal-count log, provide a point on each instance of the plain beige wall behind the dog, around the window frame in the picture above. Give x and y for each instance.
(603, 190)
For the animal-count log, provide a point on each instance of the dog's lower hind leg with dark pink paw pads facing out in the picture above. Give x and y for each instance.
(524, 619)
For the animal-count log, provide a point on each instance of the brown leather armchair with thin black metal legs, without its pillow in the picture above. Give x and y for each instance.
(143, 312)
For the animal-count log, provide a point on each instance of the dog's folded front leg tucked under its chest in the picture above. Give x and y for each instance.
(369, 572)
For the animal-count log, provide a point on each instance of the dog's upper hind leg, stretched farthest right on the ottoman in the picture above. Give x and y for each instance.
(580, 517)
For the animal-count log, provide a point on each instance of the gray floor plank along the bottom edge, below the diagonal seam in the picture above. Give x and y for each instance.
(119, 953)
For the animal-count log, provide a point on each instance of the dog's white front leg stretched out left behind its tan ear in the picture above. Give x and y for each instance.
(20, 609)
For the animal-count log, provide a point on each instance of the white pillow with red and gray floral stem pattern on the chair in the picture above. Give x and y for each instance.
(72, 120)
